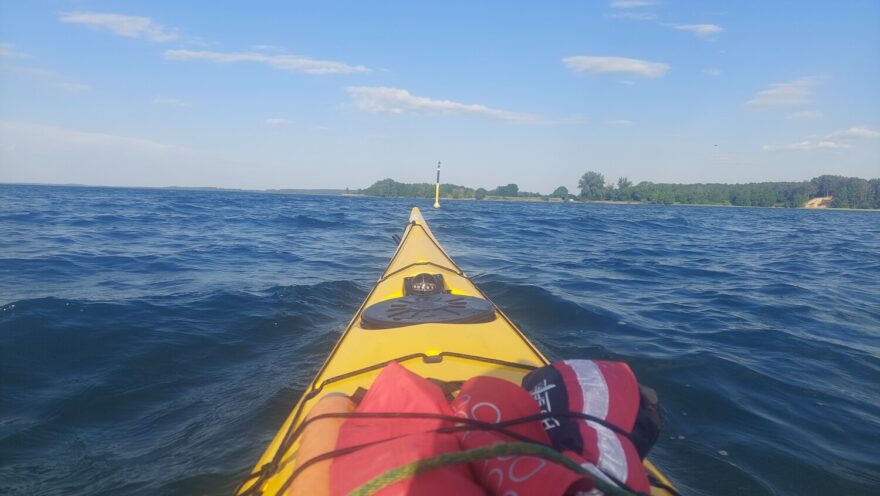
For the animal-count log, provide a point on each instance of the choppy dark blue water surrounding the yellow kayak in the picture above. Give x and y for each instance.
(152, 341)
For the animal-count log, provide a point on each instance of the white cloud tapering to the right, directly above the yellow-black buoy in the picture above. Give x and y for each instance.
(398, 101)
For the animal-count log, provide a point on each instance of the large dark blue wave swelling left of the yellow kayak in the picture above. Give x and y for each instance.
(151, 379)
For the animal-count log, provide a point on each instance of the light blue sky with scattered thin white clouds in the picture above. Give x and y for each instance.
(263, 95)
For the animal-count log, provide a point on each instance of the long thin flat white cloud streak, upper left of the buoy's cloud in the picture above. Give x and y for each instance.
(283, 62)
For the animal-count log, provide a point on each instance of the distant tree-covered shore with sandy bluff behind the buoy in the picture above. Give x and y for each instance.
(825, 191)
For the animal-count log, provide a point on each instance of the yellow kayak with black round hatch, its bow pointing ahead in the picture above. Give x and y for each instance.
(469, 337)
